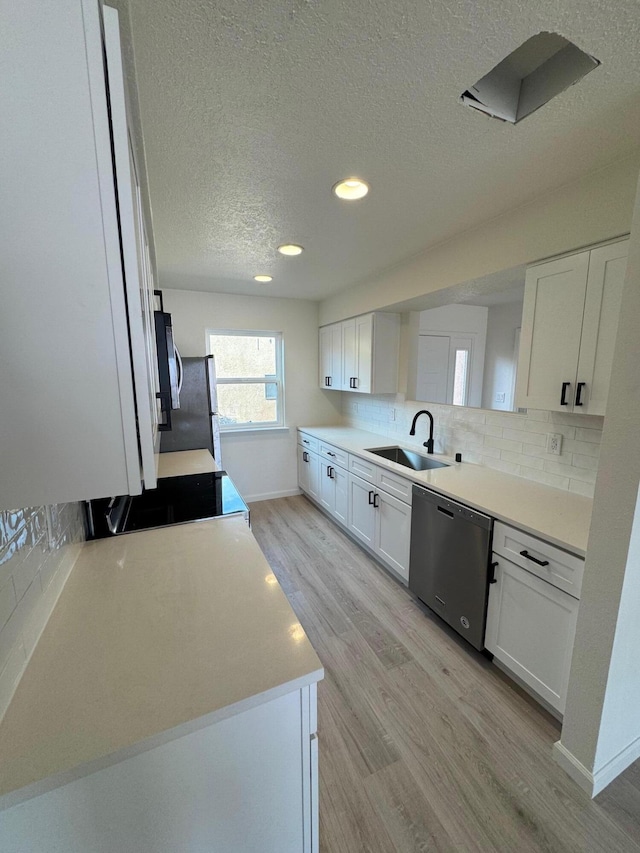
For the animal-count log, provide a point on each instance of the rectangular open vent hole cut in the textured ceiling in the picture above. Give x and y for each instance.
(529, 77)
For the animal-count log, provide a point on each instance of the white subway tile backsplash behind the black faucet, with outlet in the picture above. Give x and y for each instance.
(514, 443)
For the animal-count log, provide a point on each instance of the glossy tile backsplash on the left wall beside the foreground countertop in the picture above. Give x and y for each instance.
(38, 547)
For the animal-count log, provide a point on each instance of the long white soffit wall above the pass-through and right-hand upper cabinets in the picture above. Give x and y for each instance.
(595, 208)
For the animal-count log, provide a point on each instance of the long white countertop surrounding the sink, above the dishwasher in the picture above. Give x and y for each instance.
(558, 516)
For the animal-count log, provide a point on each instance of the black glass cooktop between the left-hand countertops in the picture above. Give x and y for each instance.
(176, 500)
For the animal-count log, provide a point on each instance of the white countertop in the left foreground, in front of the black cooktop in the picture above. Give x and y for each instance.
(156, 634)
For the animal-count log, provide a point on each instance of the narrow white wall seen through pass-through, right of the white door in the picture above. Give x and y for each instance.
(499, 362)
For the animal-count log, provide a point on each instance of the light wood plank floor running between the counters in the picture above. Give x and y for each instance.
(424, 744)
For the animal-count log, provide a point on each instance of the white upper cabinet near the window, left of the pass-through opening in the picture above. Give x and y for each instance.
(361, 354)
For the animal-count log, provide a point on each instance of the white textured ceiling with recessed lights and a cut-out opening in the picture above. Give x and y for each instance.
(252, 109)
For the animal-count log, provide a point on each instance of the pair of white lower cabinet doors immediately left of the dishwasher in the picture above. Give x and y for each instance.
(382, 523)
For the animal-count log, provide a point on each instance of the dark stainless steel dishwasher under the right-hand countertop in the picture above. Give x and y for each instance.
(449, 564)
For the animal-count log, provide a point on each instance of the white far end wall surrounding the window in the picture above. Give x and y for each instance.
(262, 463)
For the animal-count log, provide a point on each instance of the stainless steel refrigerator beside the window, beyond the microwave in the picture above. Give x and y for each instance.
(195, 425)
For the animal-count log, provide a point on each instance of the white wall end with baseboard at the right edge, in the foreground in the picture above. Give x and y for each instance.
(601, 731)
